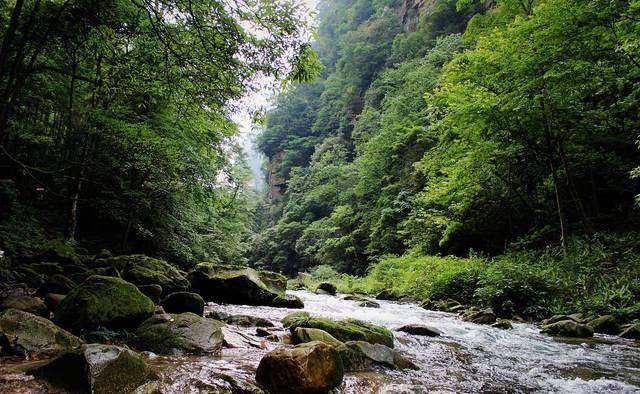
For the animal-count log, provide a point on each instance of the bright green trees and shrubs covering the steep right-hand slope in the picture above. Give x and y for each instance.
(464, 128)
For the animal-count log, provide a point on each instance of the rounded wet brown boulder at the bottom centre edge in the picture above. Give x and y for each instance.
(313, 367)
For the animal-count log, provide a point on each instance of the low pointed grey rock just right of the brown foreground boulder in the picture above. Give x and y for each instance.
(363, 356)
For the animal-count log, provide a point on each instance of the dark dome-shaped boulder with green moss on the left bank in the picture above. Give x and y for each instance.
(103, 301)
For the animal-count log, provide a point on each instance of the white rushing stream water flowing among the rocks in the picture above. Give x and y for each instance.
(467, 358)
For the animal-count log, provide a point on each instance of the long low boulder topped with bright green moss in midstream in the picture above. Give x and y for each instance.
(343, 330)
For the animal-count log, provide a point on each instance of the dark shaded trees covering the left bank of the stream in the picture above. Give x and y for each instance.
(114, 119)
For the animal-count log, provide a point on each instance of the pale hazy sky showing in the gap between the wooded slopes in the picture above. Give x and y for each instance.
(248, 131)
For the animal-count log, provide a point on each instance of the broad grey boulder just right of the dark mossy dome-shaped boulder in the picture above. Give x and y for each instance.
(176, 334)
